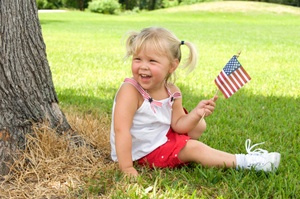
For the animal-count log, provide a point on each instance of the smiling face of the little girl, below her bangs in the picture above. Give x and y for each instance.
(150, 69)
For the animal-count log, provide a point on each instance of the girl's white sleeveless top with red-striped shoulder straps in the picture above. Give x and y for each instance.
(150, 125)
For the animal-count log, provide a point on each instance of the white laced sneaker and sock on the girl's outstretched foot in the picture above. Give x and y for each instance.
(260, 159)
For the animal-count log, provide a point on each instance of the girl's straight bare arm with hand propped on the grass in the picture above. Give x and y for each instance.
(127, 102)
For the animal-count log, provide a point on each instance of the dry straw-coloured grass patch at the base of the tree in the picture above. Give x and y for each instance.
(54, 166)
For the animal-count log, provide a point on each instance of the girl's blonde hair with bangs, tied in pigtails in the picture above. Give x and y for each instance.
(163, 42)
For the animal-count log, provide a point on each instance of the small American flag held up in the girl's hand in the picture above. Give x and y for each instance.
(232, 77)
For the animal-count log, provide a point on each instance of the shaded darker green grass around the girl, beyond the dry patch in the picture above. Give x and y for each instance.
(272, 119)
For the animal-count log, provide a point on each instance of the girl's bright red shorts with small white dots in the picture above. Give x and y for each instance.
(167, 154)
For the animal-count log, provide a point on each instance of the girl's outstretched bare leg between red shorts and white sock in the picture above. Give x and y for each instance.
(196, 151)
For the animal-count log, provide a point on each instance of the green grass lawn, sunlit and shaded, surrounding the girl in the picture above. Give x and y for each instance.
(85, 53)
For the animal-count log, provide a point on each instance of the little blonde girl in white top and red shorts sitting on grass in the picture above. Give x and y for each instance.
(150, 125)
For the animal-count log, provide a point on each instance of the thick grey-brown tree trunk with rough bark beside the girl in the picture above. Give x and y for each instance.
(27, 93)
